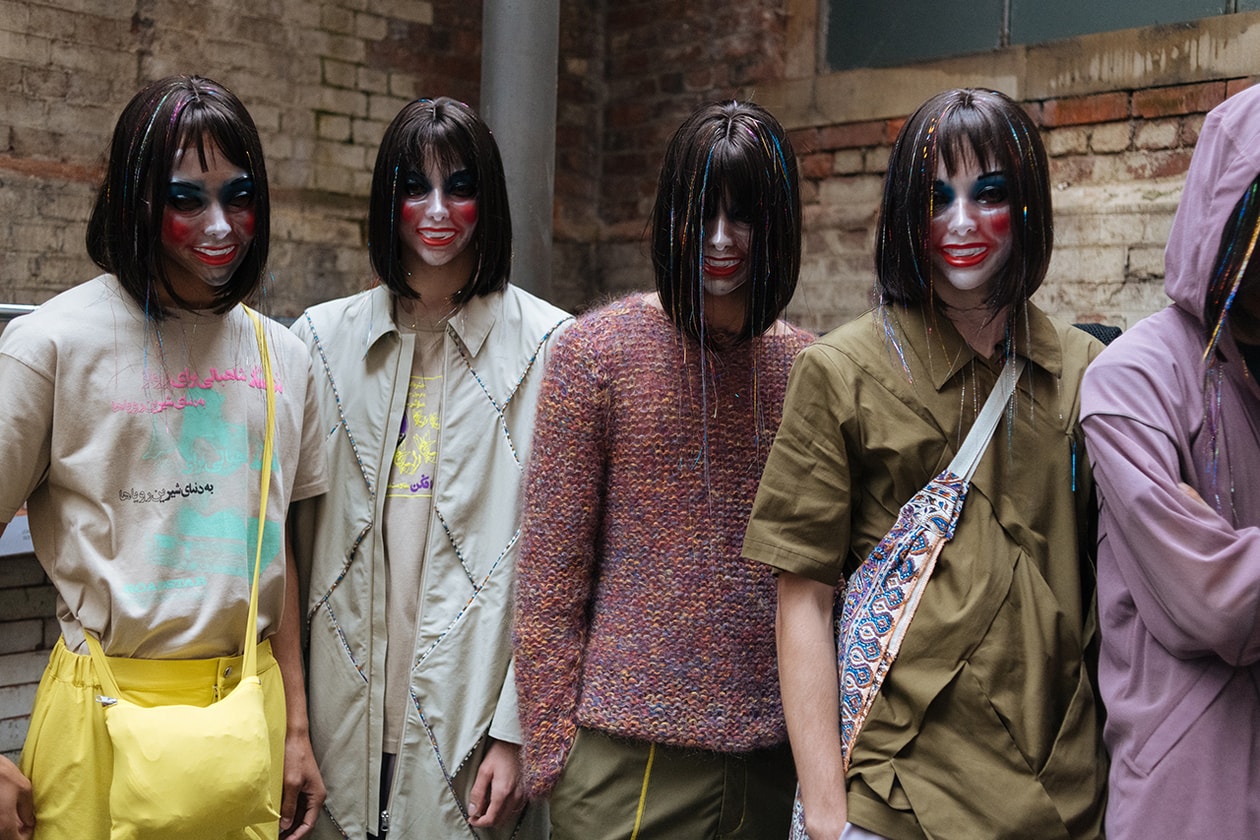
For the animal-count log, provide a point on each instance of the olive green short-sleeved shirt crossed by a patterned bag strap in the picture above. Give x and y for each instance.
(987, 725)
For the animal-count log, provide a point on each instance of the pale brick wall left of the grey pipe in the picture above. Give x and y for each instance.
(322, 81)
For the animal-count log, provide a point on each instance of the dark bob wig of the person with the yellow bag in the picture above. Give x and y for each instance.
(124, 232)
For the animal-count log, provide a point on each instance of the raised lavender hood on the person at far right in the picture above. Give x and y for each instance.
(1225, 162)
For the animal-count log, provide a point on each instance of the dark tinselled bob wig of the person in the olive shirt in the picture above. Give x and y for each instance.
(949, 128)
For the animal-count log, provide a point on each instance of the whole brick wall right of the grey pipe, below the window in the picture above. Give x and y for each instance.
(1120, 115)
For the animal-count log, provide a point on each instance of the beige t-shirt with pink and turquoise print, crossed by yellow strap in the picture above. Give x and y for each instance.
(139, 446)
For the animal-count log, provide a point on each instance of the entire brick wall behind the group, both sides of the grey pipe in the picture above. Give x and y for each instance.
(323, 80)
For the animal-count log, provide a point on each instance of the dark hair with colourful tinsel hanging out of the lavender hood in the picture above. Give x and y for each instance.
(1234, 269)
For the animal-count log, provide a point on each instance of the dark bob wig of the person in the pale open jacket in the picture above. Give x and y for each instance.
(453, 135)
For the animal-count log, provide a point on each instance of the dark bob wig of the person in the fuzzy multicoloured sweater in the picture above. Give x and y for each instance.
(730, 157)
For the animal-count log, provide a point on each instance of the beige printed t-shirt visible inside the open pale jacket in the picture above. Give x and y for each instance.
(408, 519)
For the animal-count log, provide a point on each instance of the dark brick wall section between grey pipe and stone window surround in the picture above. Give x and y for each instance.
(631, 74)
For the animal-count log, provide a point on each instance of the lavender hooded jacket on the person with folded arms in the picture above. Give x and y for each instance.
(1180, 580)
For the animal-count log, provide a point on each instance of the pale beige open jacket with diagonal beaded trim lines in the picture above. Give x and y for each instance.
(496, 352)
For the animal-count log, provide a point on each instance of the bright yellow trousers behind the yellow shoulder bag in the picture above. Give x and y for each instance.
(70, 760)
